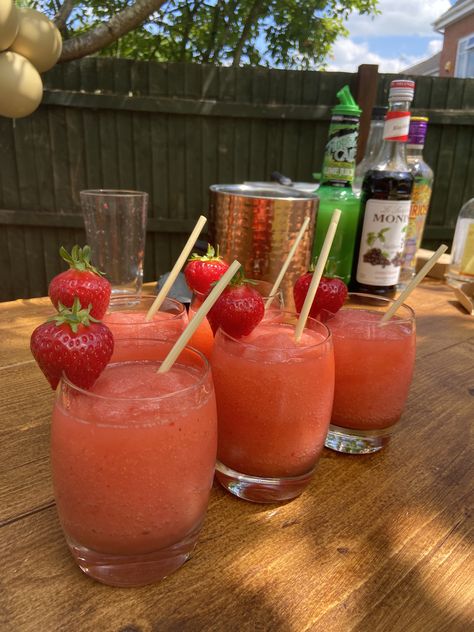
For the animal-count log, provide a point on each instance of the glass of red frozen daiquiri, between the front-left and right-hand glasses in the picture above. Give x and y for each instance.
(274, 399)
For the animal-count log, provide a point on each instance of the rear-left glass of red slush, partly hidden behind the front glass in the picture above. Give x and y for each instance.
(126, 319)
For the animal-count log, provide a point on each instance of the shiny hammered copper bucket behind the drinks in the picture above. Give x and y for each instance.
(258, 224)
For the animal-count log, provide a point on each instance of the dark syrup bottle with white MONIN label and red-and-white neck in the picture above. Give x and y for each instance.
(385, 201)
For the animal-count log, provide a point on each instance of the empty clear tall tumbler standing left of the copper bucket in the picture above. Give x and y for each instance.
(115, 222)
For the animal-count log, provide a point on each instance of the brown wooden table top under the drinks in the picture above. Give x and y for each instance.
(379, 542)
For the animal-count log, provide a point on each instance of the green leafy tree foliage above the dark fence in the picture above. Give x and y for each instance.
(295, 34)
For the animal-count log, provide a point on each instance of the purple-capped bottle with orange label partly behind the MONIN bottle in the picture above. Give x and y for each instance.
(420, 197)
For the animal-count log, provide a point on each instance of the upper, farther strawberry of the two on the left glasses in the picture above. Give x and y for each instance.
(81, 280)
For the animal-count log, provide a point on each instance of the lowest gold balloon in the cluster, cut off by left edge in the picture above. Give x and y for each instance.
(21, 88)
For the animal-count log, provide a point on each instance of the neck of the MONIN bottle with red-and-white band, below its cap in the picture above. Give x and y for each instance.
(392, 154)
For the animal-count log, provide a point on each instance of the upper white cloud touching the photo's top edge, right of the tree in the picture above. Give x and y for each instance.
(399, 17)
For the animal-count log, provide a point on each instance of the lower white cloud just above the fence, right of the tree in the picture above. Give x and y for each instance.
(347, 55)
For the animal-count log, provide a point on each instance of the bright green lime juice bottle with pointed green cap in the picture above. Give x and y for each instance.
(335, 190)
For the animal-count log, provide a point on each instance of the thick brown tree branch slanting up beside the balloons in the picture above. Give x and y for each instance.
(107, 33)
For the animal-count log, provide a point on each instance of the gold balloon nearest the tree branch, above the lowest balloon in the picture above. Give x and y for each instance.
(38, 39)
